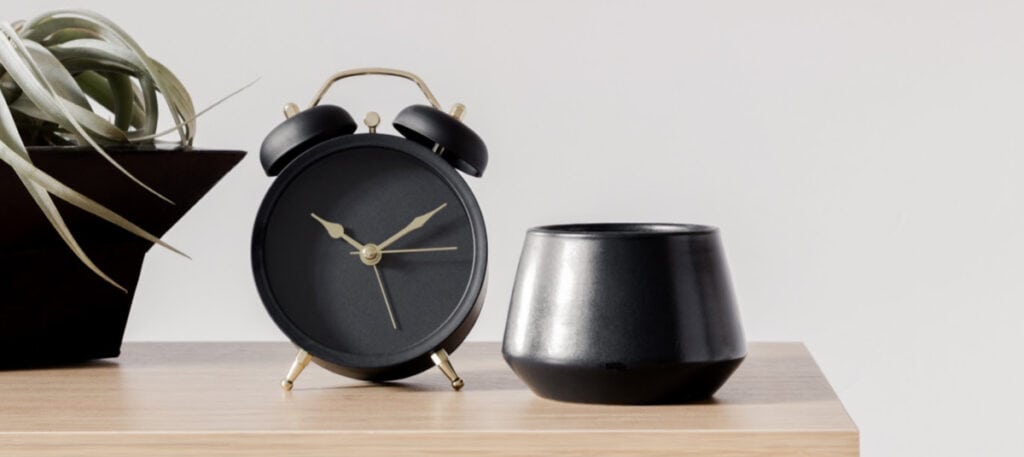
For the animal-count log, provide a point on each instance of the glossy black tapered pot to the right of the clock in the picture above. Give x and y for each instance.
(624, 314)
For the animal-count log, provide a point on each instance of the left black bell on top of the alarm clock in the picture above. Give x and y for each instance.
(303, 132)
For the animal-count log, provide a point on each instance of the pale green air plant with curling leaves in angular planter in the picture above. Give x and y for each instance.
(60, 74)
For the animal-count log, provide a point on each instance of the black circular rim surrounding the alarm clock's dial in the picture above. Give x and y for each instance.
(448, 337)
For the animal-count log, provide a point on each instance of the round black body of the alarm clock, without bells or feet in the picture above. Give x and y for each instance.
(377, 322)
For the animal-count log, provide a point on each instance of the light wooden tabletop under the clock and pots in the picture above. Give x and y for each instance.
(225, 400)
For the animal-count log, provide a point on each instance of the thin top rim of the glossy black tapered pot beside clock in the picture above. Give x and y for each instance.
(623, 230)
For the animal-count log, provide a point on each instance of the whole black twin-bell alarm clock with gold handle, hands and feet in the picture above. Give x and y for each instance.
(369, 251)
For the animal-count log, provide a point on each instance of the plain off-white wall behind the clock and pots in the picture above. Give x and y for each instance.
(863, 158)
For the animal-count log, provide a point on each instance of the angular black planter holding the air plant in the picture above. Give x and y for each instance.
(53, 309)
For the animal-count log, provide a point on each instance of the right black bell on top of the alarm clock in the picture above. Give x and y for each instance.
(428, 127)
